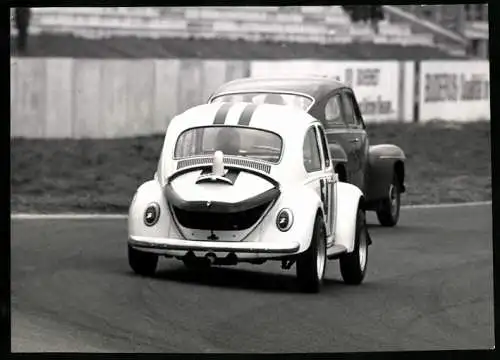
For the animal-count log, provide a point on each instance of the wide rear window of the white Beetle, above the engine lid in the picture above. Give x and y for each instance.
(231, 140)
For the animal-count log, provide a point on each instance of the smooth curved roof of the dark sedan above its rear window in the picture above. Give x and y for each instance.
(313, 86)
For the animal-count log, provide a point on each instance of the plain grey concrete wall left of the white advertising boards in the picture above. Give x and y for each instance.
(73, 98)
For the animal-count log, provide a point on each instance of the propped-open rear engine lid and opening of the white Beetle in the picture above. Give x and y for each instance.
(228, 200)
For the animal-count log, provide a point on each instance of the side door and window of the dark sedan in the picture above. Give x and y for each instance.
(356, 137)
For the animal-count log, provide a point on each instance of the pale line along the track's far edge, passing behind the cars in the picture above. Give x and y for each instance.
(71, 216)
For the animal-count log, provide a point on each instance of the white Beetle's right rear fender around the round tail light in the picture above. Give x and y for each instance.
(304, 204)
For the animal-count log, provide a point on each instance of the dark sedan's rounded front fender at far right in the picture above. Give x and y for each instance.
(382, 160)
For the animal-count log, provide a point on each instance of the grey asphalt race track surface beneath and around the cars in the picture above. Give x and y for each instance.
(429, 287)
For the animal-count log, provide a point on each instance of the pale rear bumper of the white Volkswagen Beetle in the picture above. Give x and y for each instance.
(256, 248)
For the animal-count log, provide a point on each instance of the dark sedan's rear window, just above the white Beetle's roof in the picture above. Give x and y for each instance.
(302, 102)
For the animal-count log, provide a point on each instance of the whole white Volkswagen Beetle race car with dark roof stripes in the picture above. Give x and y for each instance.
(232, 186)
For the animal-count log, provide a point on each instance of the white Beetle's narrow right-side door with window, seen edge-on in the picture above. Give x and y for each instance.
(327, 190)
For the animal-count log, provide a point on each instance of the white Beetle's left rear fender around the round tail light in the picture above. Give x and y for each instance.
(147, 193)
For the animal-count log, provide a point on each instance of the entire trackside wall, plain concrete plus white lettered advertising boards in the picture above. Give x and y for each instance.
(83, 98)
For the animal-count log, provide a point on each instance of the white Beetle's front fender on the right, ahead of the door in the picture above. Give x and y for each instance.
(348, 201)
